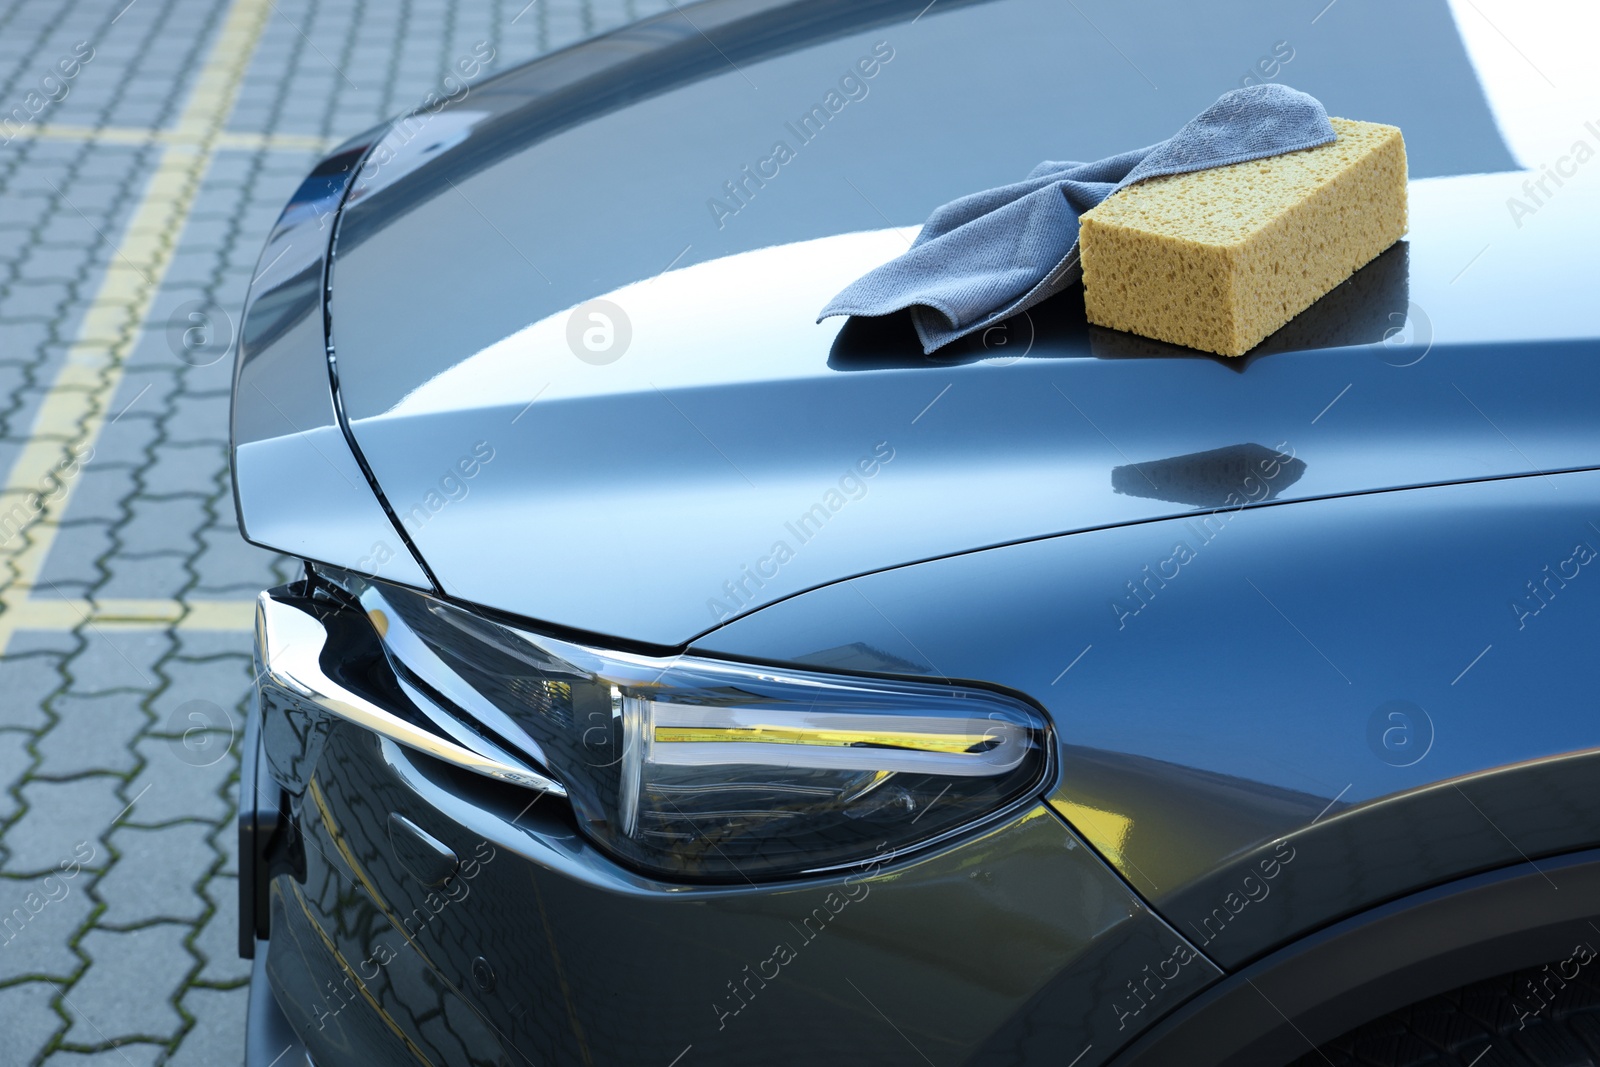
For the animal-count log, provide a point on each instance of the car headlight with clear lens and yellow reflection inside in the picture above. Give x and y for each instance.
(716, 770)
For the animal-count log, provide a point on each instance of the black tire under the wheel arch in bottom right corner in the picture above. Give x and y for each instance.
(1546, 1017)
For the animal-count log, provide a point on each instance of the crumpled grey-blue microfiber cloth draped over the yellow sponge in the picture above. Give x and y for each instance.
(996, 254)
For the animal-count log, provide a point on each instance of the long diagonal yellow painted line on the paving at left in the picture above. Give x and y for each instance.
(74, 410)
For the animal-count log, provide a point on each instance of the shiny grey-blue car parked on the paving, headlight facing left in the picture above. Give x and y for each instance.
(679, 681)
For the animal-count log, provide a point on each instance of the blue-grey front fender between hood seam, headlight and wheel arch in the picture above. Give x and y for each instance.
(1398, 687)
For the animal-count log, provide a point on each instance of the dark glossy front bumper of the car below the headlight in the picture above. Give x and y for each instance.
(420, 911)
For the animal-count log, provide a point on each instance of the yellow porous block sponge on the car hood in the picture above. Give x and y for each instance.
(1217, 260)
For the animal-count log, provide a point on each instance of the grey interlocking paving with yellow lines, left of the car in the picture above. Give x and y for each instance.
(118, 879)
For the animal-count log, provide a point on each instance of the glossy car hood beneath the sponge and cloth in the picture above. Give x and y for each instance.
(724, 452)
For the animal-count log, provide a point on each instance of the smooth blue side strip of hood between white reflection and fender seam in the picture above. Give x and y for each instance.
(657, 516)
